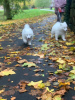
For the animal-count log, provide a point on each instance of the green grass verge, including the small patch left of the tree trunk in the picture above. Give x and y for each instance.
(25, 14)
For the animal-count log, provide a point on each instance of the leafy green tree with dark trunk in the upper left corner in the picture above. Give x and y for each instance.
(11, 7)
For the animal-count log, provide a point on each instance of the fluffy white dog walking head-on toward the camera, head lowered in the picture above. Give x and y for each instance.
(27, 34)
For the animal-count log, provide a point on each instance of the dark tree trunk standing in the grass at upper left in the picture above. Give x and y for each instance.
(7, 9)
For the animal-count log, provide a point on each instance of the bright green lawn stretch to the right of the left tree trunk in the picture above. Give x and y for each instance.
(30, 13)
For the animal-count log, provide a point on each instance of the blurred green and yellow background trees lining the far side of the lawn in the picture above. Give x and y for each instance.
(12, 7)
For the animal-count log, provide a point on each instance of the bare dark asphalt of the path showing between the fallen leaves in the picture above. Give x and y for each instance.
(39, 29)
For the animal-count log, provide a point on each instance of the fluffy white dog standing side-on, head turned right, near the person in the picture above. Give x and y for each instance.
(59, 29)
